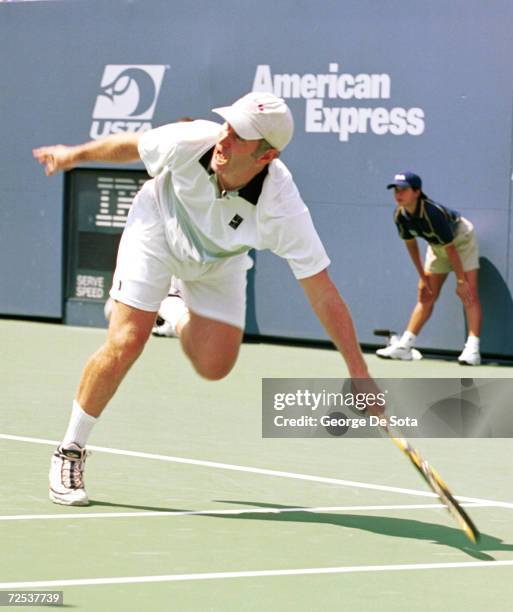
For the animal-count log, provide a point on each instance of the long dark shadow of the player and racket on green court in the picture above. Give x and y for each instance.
(393, 527)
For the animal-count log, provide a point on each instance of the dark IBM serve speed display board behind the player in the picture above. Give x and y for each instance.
(97, 202)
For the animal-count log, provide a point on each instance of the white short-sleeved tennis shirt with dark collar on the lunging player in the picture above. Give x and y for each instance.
(204, 225)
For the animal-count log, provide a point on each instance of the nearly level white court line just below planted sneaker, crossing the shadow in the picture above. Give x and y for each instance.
(222, 512)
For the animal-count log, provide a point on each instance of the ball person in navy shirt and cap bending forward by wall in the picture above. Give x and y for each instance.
(452, 246)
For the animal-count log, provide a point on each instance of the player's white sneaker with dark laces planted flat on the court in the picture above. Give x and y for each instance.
(67, 476)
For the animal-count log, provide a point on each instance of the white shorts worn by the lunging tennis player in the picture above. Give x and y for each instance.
(146, 262)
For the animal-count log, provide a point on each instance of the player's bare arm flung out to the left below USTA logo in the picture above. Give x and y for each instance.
(117, 148)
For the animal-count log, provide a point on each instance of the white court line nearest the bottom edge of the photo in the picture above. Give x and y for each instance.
(39, 584)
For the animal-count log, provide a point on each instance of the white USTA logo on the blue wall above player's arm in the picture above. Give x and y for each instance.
(127, 99)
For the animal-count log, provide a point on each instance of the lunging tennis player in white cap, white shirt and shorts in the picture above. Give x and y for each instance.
(218, 191)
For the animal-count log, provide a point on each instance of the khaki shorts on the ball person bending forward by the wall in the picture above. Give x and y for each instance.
(465, 241)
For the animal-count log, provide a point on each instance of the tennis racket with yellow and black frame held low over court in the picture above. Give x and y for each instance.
(438, 486)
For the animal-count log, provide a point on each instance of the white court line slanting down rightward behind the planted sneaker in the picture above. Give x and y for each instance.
(267, 472)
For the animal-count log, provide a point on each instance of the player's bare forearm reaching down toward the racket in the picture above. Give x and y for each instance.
(335, 317)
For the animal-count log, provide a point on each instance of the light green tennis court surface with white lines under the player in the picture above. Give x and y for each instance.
(193, 510)
